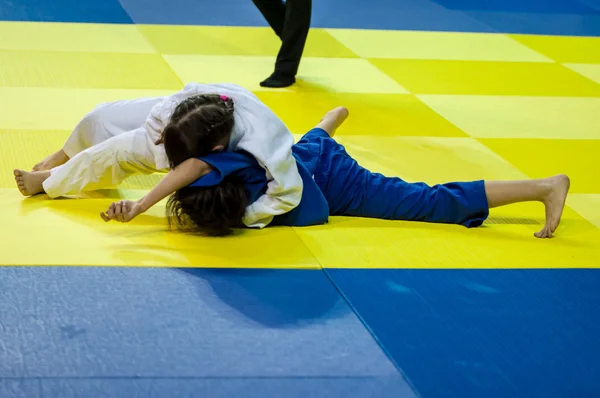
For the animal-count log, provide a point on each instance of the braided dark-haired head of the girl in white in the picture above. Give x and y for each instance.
(199, 125)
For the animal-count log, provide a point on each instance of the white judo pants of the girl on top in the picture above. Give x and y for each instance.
(108, 145)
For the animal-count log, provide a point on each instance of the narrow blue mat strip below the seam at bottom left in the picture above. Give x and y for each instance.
(204, 388)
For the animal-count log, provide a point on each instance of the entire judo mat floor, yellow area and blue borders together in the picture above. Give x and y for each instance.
(437, 91)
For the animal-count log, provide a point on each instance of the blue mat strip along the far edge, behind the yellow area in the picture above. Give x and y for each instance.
(557, 17)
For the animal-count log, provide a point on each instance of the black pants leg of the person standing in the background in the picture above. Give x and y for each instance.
(291, 22)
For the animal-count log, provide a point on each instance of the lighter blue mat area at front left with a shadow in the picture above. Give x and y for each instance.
(115, 331)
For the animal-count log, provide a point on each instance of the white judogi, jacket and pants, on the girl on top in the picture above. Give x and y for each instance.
(116, 140)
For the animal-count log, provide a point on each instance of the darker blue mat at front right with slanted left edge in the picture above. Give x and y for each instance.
(485, 333)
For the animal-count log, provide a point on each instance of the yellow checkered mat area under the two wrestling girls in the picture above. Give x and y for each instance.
(425, 106)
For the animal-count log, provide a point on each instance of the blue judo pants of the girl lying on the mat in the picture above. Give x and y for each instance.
(352, 190)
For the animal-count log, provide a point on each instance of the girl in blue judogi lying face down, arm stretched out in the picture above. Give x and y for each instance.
(211, 193)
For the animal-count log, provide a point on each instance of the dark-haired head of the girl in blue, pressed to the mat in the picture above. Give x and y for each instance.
(211, 210)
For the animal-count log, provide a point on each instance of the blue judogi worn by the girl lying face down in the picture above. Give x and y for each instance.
(335, 184)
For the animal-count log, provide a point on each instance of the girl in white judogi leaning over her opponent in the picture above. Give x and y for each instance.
(122, 138)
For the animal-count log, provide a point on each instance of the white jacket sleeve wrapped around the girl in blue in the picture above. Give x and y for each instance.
(273, 151)
